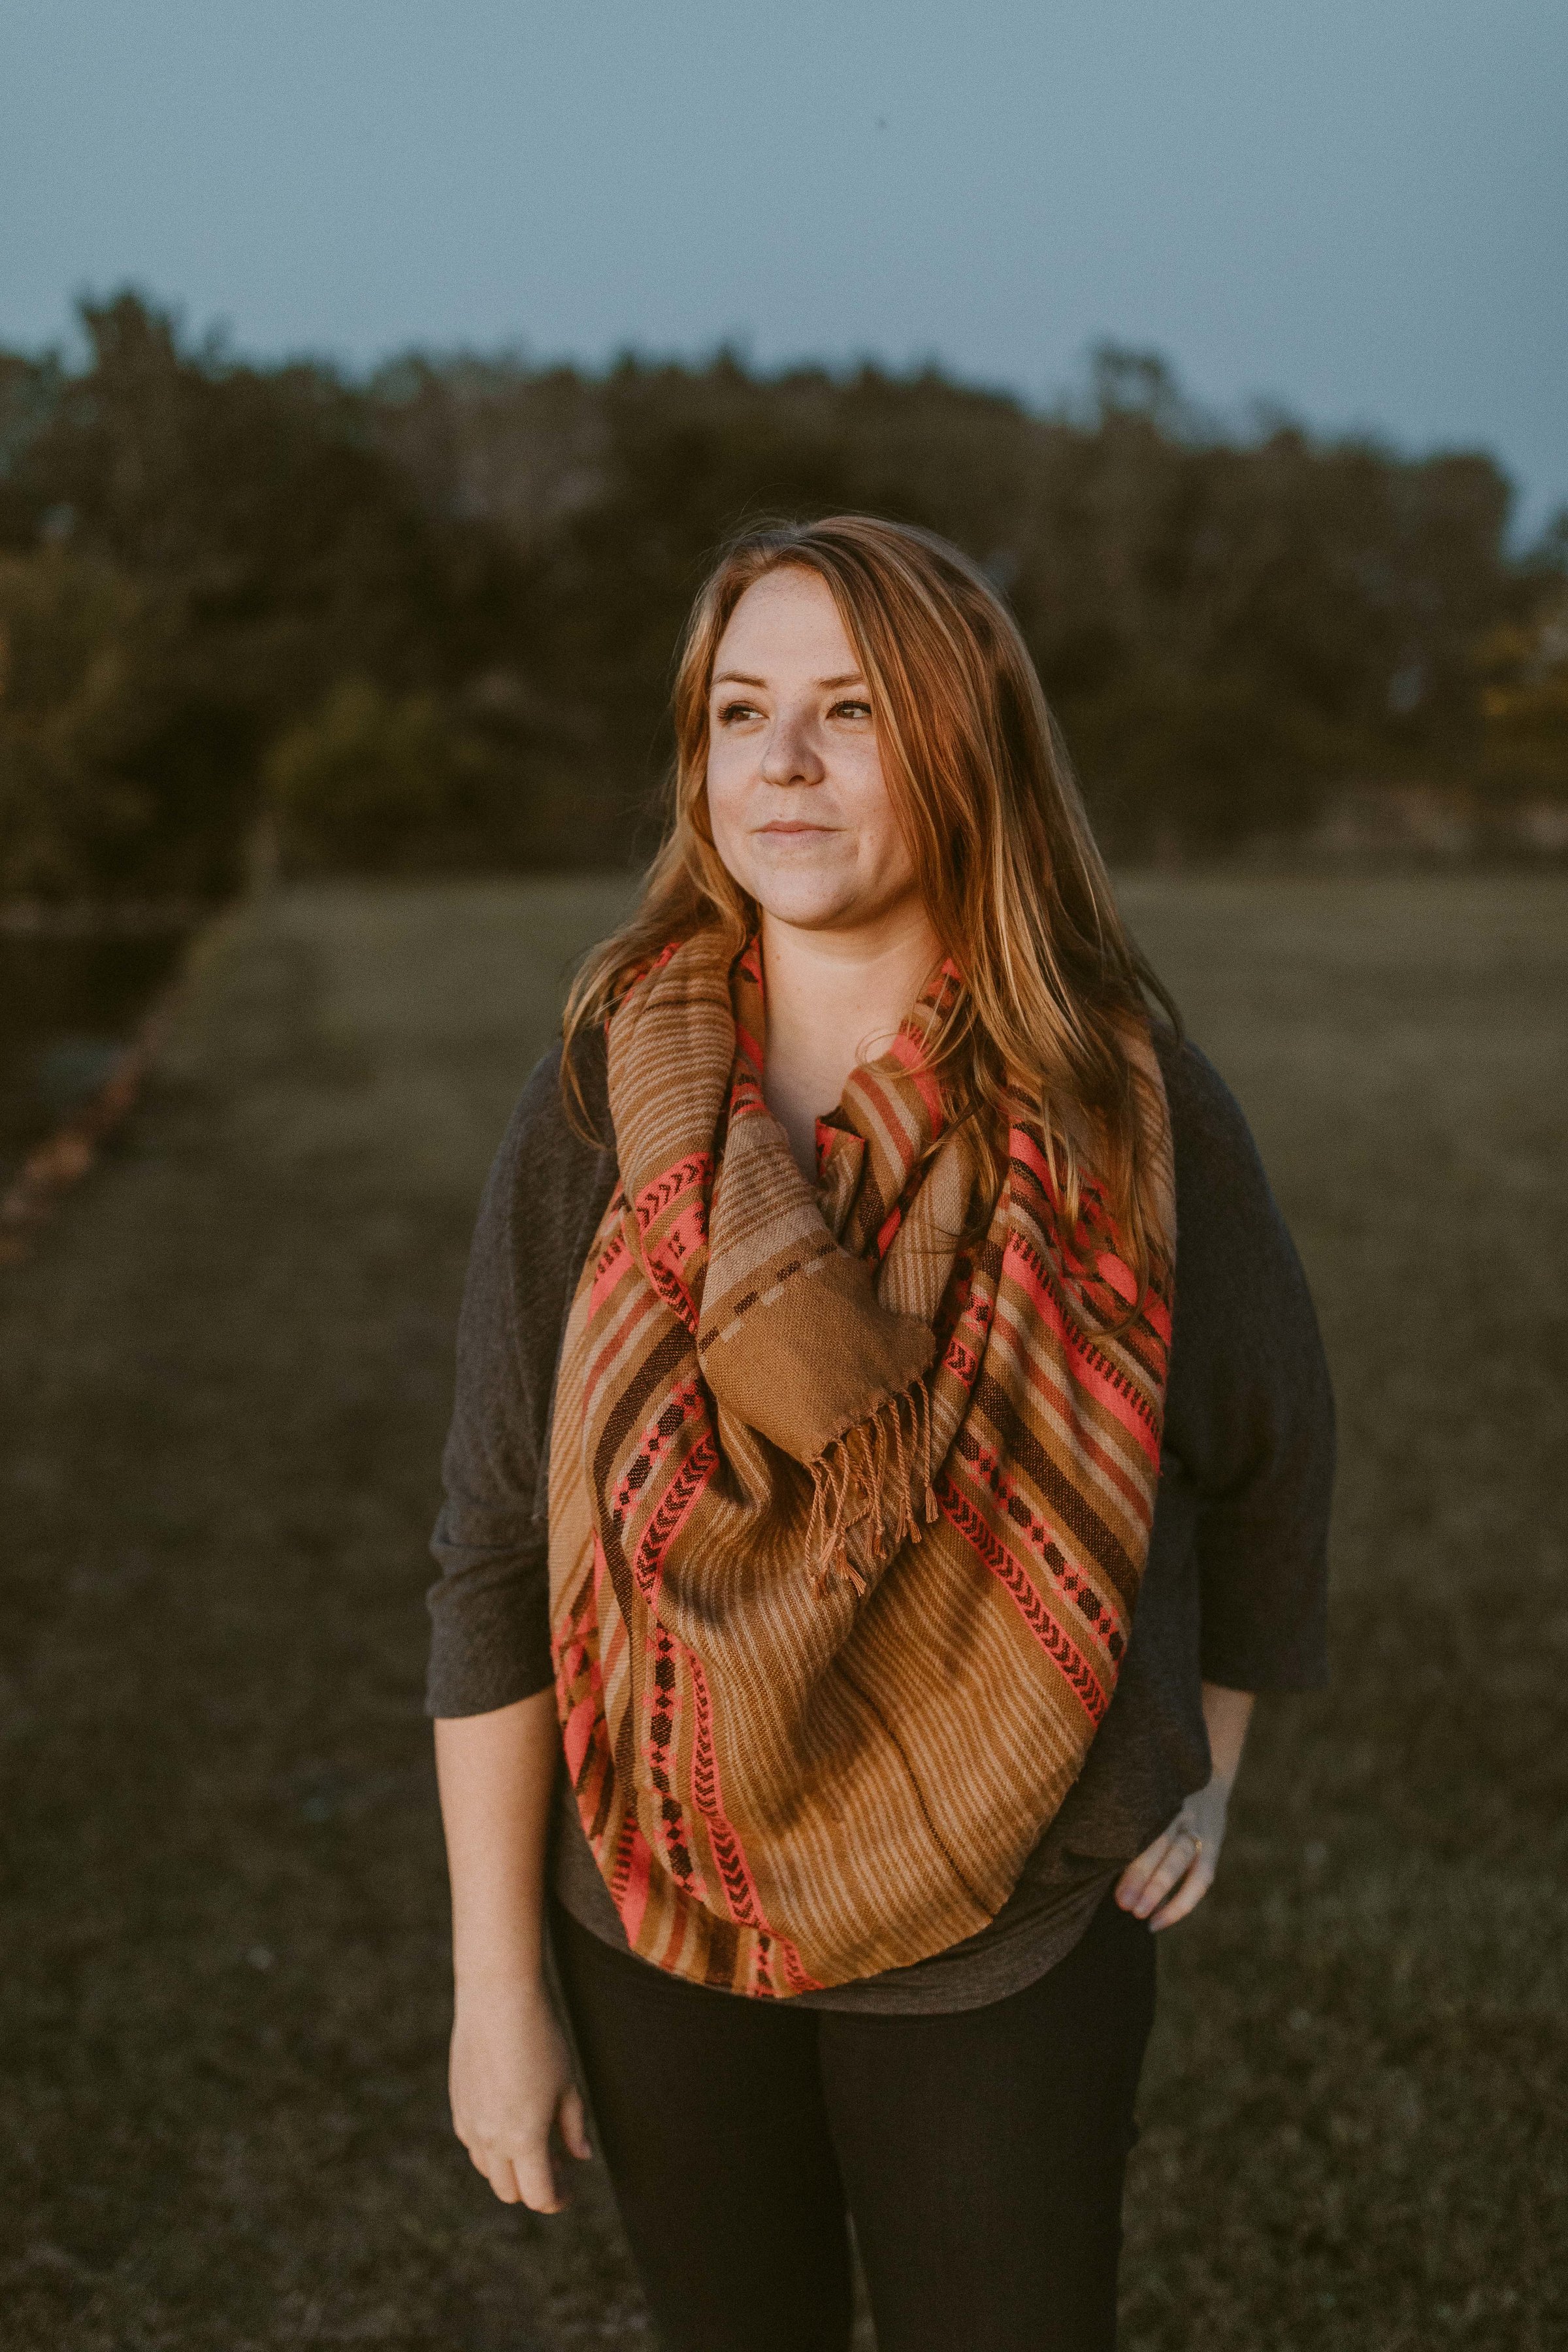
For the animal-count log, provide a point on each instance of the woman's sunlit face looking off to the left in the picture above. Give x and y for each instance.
(796, 794)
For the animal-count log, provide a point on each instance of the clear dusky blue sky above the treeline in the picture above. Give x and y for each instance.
(1358, 208)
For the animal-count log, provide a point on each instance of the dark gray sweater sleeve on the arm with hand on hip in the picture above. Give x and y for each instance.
(1249, 1412)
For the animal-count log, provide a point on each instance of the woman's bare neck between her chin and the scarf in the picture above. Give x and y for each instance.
(836, 998)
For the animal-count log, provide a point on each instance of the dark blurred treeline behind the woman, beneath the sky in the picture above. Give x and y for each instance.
(427, 620)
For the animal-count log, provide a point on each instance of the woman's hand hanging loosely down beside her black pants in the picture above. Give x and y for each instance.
(511, 2087)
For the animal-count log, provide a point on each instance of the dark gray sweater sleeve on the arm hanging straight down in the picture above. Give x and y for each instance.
(490, 1610)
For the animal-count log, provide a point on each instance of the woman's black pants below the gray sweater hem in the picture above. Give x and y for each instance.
(981, 2156)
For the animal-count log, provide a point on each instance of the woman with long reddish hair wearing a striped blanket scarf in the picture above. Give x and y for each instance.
(937, 1450)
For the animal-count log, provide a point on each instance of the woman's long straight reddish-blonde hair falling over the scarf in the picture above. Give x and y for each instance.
(1012, 878)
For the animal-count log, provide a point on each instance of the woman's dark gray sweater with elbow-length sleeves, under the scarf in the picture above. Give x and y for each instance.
(1235, 1584)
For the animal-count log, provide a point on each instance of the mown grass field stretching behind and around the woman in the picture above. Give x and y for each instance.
(225, 1382)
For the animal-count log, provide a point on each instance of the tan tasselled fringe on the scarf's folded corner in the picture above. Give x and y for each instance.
(873, 1488)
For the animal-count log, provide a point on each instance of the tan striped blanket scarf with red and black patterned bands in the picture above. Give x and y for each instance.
(850, 1499)
